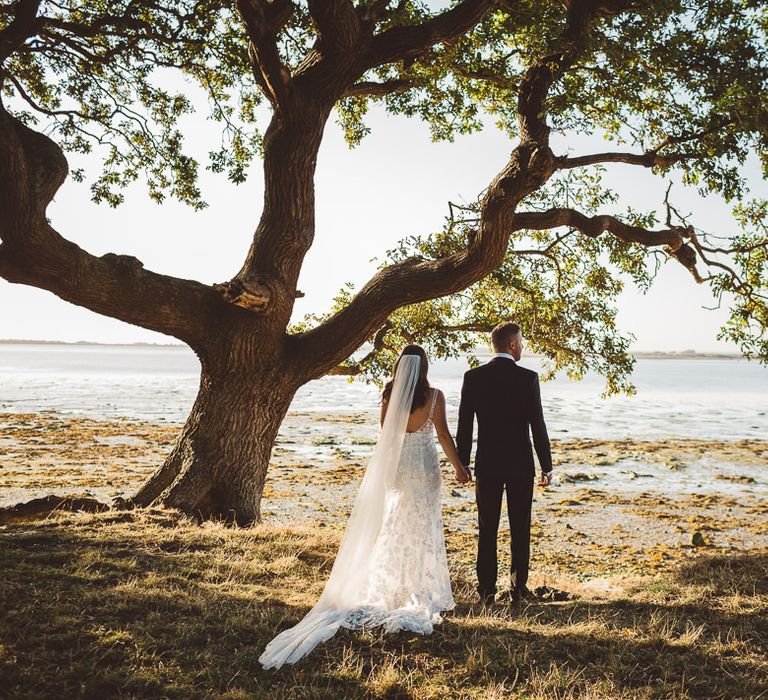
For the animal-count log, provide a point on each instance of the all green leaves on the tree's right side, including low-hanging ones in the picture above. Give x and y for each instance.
(686, 79)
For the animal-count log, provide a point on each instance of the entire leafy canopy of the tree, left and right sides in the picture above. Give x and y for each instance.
(684, 79)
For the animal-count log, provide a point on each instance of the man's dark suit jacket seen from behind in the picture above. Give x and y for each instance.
(506, 400)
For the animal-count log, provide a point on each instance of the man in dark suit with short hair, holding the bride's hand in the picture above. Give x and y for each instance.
(506, 400)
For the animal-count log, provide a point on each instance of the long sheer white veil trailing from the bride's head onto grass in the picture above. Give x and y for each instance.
(345, 589)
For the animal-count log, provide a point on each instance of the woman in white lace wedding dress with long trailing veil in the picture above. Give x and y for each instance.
(391, 569)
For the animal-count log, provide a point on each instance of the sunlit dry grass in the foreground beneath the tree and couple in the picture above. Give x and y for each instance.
(143, 604)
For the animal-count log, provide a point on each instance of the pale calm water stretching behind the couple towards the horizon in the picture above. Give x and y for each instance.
(725, 399)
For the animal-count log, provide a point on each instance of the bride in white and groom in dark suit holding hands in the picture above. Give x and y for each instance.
(391, 569)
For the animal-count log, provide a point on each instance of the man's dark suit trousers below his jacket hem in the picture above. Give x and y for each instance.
(489, 490)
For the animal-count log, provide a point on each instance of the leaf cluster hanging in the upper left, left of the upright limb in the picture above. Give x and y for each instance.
(94, 75)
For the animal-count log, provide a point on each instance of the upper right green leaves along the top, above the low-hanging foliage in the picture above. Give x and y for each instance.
(690, 75)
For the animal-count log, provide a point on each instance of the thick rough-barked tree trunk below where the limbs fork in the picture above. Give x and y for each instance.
(218, 466)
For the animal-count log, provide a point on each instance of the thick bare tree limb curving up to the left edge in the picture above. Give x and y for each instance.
(32, 168)
